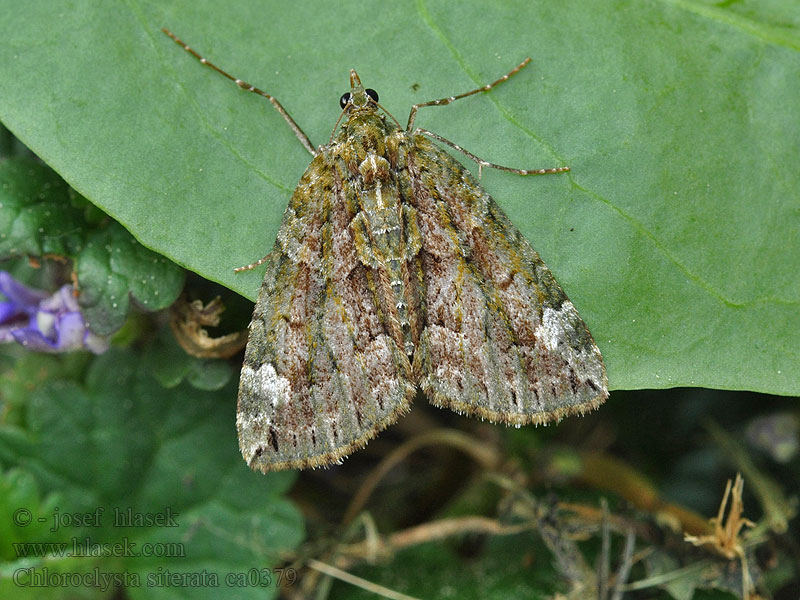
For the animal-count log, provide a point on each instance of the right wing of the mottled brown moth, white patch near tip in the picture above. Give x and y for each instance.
(501, 339)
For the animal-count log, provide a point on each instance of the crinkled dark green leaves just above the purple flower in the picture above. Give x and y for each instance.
(41, 217)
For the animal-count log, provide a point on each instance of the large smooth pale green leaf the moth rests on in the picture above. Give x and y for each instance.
(675, 233)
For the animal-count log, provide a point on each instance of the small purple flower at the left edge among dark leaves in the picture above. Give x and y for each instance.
(42, 323)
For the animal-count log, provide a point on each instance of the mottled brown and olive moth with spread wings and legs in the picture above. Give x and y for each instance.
(394, 269)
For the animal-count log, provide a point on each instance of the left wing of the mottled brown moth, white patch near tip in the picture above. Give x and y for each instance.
(320, 376)
